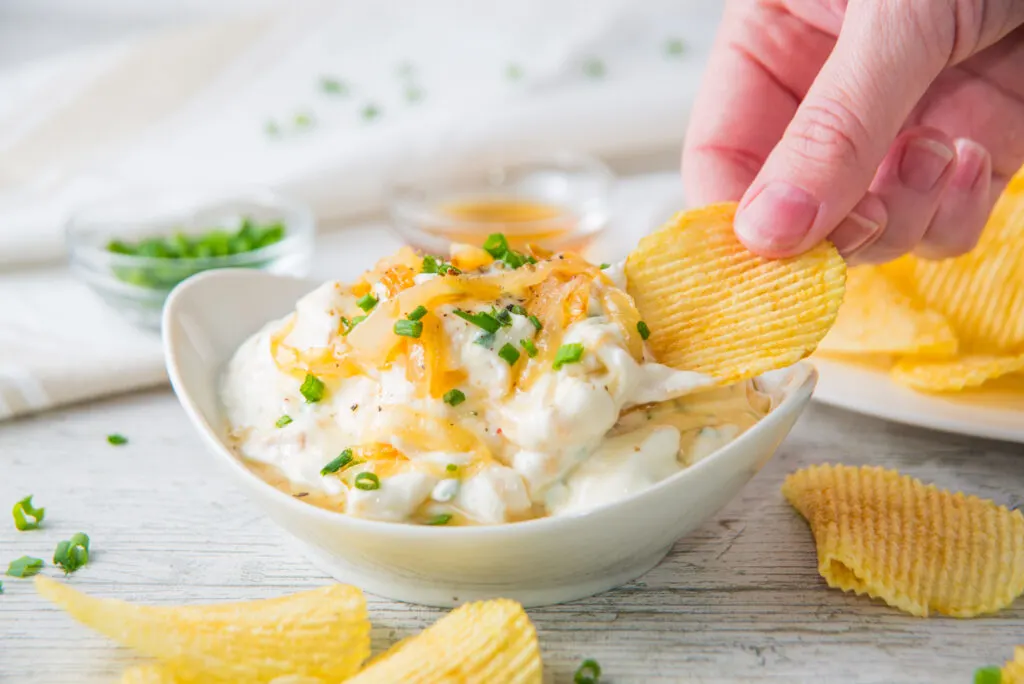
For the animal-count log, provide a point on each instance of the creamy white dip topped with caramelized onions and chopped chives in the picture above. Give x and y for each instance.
(557, 411)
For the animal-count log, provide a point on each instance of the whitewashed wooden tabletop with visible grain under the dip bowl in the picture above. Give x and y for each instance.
(739, 601)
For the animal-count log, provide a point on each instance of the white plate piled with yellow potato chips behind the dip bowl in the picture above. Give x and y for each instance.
(938, 345)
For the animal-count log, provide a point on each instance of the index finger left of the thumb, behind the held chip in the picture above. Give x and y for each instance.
(763, 63)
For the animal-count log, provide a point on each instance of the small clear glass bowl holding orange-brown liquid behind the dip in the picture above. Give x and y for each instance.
(434, 209)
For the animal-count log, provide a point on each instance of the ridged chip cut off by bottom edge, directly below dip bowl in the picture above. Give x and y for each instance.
(487, 642)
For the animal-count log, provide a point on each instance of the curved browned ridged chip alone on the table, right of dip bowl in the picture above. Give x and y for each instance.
(915, 546)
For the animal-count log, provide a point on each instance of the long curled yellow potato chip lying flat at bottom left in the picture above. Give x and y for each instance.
(324, 633)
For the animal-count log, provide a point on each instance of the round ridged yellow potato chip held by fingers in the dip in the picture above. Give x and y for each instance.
(717, 309)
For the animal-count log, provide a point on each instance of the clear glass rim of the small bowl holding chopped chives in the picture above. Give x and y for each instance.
(301, 227)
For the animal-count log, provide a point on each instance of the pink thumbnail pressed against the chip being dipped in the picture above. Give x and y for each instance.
(778, 219)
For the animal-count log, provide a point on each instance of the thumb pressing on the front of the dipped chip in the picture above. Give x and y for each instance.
(881, 67)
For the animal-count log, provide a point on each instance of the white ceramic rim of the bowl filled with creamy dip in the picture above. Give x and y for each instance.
(802, 379)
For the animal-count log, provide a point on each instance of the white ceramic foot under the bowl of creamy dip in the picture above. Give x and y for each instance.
(442, 596)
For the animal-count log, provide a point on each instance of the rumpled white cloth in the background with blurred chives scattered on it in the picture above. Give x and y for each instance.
(450, 79)
